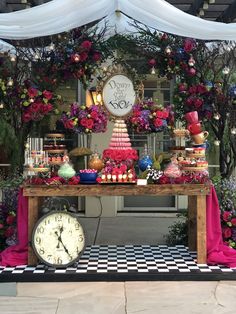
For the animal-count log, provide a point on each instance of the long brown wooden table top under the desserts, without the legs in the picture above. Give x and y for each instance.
(115, 189)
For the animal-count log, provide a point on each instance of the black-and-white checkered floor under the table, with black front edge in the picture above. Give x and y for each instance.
(134, 260)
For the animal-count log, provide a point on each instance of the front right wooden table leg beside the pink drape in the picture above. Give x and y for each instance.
(201, 229)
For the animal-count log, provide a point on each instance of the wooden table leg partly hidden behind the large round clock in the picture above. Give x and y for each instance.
(32, 218)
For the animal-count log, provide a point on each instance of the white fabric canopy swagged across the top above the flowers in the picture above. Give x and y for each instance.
(58, 16)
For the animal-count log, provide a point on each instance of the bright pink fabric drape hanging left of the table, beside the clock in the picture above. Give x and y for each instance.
(17, 254)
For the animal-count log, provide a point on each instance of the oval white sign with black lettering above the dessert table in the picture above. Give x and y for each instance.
(118, 95)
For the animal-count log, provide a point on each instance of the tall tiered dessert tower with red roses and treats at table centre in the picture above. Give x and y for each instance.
(119, 157)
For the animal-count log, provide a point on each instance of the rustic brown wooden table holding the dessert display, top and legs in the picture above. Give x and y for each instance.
(196, 209)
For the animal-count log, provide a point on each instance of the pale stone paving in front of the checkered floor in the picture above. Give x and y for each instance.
(153, 297)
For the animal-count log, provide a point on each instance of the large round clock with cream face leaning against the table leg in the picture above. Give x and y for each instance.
(58, 239)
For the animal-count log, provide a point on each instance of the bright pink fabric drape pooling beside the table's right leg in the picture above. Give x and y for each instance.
(217, 251)
